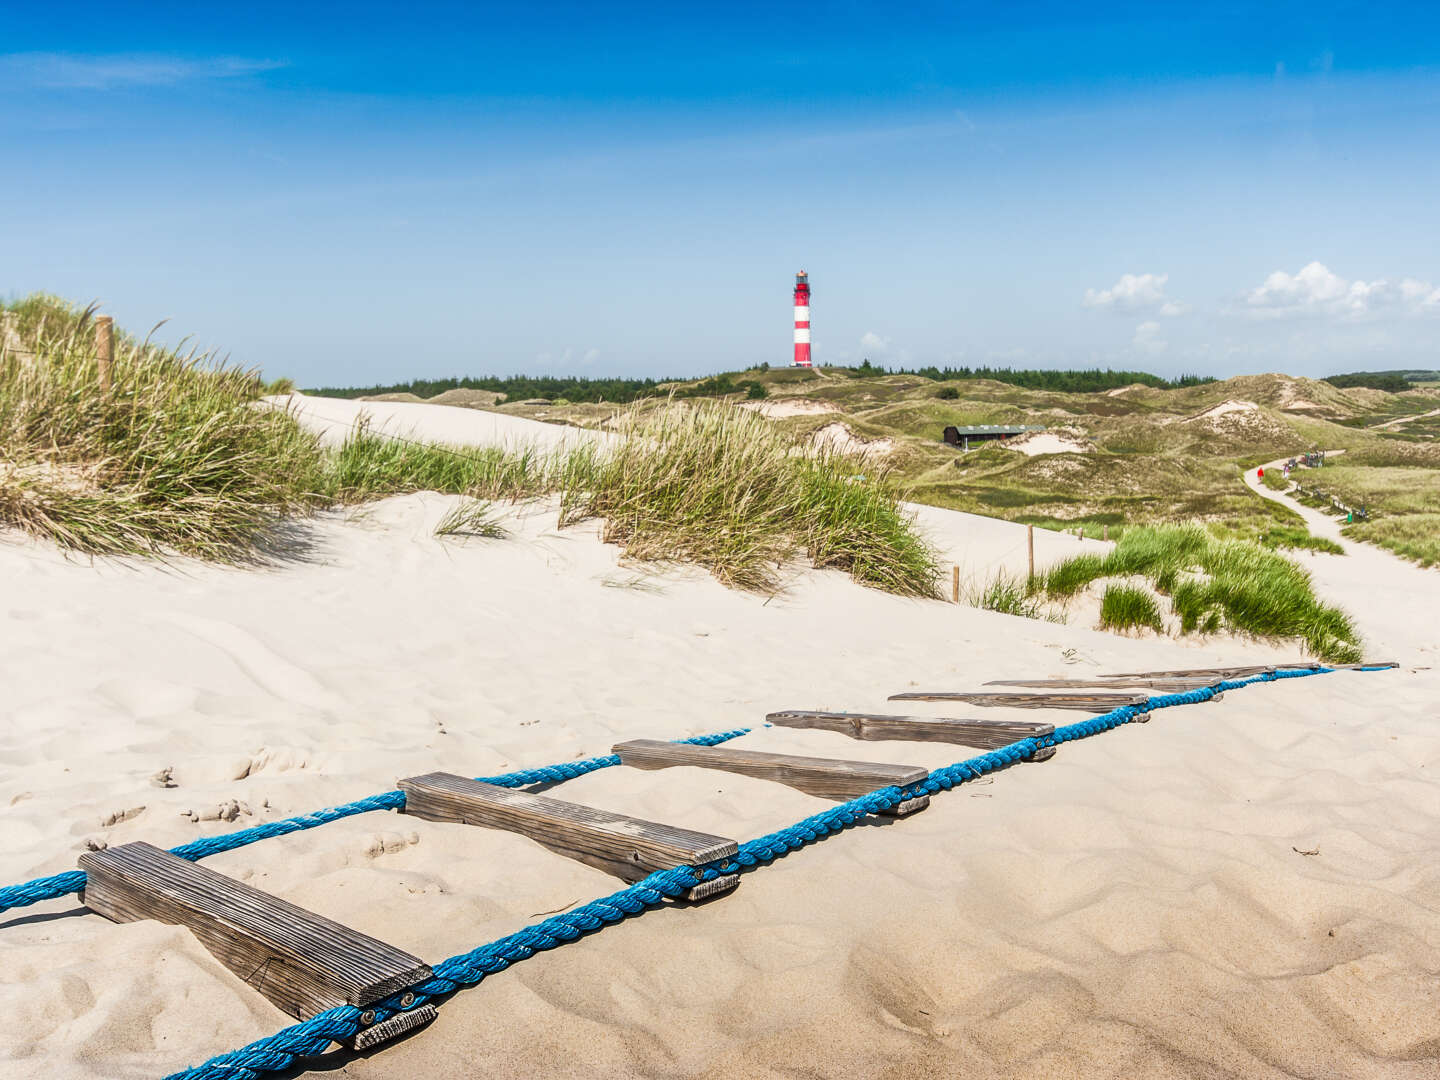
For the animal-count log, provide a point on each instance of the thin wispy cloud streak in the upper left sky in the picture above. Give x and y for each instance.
(109, 73)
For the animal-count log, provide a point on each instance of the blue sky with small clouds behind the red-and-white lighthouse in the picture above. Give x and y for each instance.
(371, 194)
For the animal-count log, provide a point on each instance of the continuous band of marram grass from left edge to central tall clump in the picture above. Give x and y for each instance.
(179, 457)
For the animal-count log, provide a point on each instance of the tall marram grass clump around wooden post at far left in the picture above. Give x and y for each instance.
(174, 459)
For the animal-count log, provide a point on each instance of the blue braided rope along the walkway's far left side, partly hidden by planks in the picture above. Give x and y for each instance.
(74, 881)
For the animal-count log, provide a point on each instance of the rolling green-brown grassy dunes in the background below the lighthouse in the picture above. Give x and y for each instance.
(1146, 451)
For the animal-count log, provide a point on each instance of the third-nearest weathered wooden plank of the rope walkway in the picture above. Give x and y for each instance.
(830, 778)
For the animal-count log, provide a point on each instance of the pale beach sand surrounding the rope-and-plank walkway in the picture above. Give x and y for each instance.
(1133, 908)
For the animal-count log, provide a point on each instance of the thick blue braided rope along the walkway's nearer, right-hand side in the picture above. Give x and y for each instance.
(315, 1036)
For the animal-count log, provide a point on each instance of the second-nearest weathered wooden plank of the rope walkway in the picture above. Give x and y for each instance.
(623, 846)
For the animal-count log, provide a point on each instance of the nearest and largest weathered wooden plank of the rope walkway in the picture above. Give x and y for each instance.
(300, 961)
